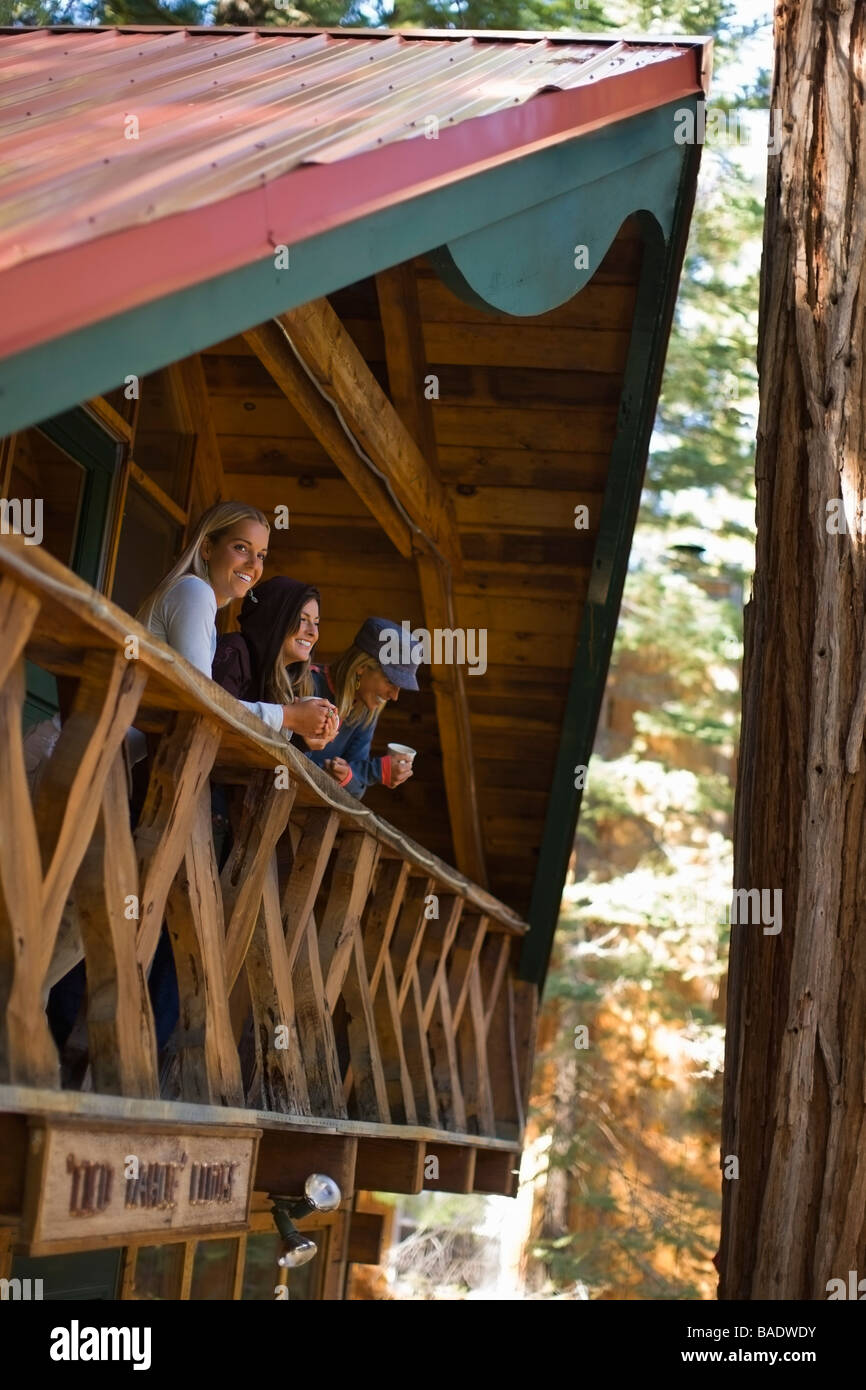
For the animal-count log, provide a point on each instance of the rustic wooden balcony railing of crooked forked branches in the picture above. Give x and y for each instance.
(382, 983)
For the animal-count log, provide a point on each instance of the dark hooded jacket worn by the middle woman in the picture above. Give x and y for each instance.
(244, 661)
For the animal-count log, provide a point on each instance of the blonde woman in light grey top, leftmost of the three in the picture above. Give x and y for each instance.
(223, 562)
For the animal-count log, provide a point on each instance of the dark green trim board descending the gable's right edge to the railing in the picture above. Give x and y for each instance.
(642, 384)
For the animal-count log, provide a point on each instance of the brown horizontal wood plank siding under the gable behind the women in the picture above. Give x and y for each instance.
(523, 427)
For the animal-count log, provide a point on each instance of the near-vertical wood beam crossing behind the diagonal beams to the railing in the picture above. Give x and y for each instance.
(407, 372)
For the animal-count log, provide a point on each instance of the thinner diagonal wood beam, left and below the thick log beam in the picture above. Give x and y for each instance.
(270, 345)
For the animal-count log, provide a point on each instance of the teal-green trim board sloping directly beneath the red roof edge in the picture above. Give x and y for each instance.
(92, 361)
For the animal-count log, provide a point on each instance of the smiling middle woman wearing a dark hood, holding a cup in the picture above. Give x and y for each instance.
(269, 660)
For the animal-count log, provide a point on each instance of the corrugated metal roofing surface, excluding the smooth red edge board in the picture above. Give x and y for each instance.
(116, 129)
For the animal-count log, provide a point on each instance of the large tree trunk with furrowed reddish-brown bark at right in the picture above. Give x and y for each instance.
(796, 1068)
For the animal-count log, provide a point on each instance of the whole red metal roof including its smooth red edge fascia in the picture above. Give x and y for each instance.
(113, 142)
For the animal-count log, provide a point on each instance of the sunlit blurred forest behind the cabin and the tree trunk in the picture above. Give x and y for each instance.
(625, 1161)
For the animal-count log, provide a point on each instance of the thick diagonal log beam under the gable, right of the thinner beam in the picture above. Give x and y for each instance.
(340, 368)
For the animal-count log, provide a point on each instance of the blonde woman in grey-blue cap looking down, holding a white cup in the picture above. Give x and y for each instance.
(361, 683)
